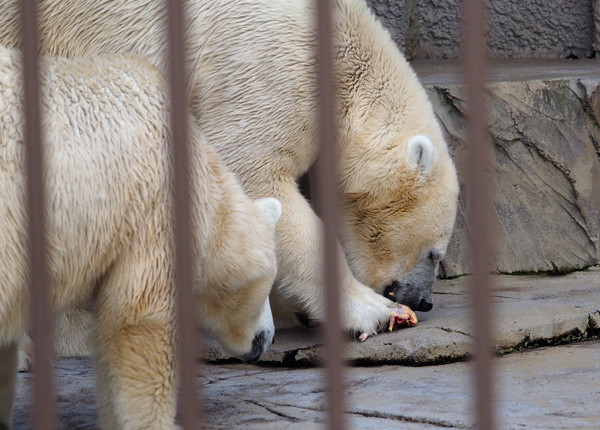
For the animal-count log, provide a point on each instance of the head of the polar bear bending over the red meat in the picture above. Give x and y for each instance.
(399, 211)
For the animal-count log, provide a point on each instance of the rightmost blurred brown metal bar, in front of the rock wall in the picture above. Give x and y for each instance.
(479, 198)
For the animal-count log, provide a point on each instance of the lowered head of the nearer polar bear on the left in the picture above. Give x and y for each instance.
(234, 305)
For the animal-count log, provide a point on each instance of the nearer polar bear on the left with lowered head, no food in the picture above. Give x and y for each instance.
(109, 226)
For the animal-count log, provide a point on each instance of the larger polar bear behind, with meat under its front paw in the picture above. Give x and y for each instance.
(252, 73)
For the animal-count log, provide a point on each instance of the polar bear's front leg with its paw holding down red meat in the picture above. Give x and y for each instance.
(300, 264)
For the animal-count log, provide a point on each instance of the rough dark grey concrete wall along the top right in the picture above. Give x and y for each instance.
(517, 28)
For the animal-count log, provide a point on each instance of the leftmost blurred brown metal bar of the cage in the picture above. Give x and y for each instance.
(44, 414)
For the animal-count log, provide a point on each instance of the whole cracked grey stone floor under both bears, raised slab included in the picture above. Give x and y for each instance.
(542, 388)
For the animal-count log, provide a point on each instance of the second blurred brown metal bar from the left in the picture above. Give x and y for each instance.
(188, 401)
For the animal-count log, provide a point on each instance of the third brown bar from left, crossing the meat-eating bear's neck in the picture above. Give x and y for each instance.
(327, 201)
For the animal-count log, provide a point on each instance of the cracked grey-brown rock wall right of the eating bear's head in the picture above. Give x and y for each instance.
(545, 173)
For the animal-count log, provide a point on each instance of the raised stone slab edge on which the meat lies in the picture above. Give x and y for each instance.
(531, 310)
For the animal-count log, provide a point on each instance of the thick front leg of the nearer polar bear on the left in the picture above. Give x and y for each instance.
(134, 338)
